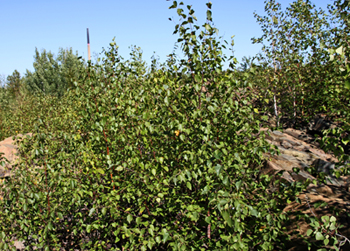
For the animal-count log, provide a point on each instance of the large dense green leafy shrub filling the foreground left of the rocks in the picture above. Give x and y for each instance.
(166, 158)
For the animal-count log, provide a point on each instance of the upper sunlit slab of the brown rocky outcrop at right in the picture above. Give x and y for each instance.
(300, 150)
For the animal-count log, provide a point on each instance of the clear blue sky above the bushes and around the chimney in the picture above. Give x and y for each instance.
(51, 24)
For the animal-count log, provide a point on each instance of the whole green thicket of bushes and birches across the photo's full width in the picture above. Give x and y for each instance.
(167, 157)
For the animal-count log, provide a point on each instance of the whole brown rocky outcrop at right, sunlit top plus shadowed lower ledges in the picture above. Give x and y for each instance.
(300, 150)
